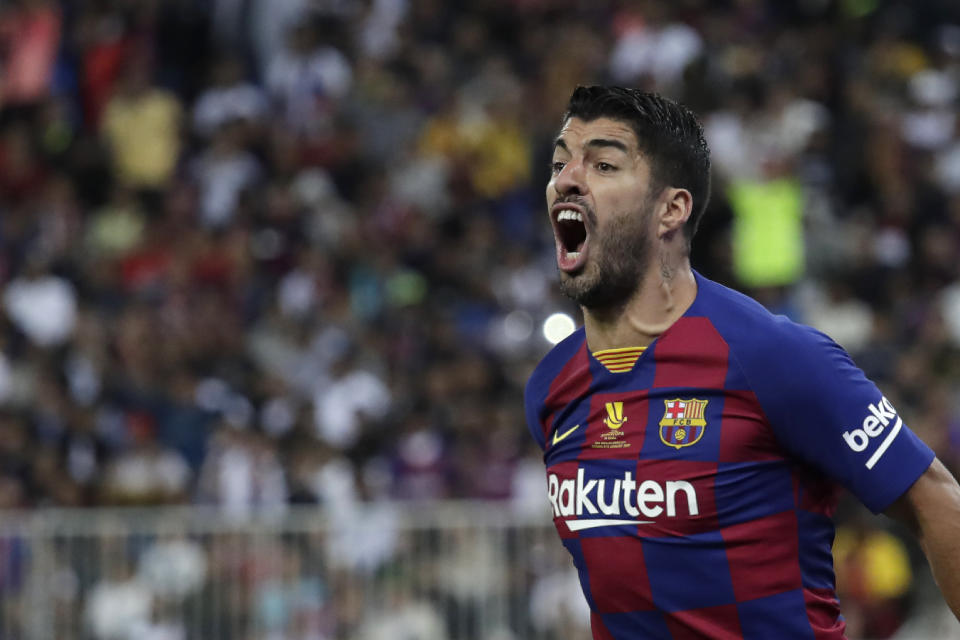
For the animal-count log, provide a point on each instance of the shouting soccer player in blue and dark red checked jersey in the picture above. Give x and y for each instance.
(694, 442)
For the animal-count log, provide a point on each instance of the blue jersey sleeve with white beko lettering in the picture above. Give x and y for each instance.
(825, 411)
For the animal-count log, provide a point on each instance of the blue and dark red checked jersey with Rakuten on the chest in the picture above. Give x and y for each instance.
(695, 488)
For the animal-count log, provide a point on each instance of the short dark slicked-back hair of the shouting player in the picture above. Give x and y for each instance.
(668, 134)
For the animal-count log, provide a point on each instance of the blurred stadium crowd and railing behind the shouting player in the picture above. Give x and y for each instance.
(273, 274)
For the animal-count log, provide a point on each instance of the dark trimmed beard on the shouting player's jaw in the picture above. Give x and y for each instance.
(618, 262)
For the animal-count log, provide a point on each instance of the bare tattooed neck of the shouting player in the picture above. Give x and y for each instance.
(664, 295)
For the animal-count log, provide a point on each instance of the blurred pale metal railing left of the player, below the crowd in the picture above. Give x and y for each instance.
(460, 571)
